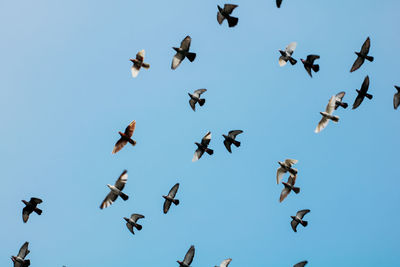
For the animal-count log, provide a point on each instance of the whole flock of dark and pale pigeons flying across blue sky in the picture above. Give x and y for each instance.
(285, 167)
